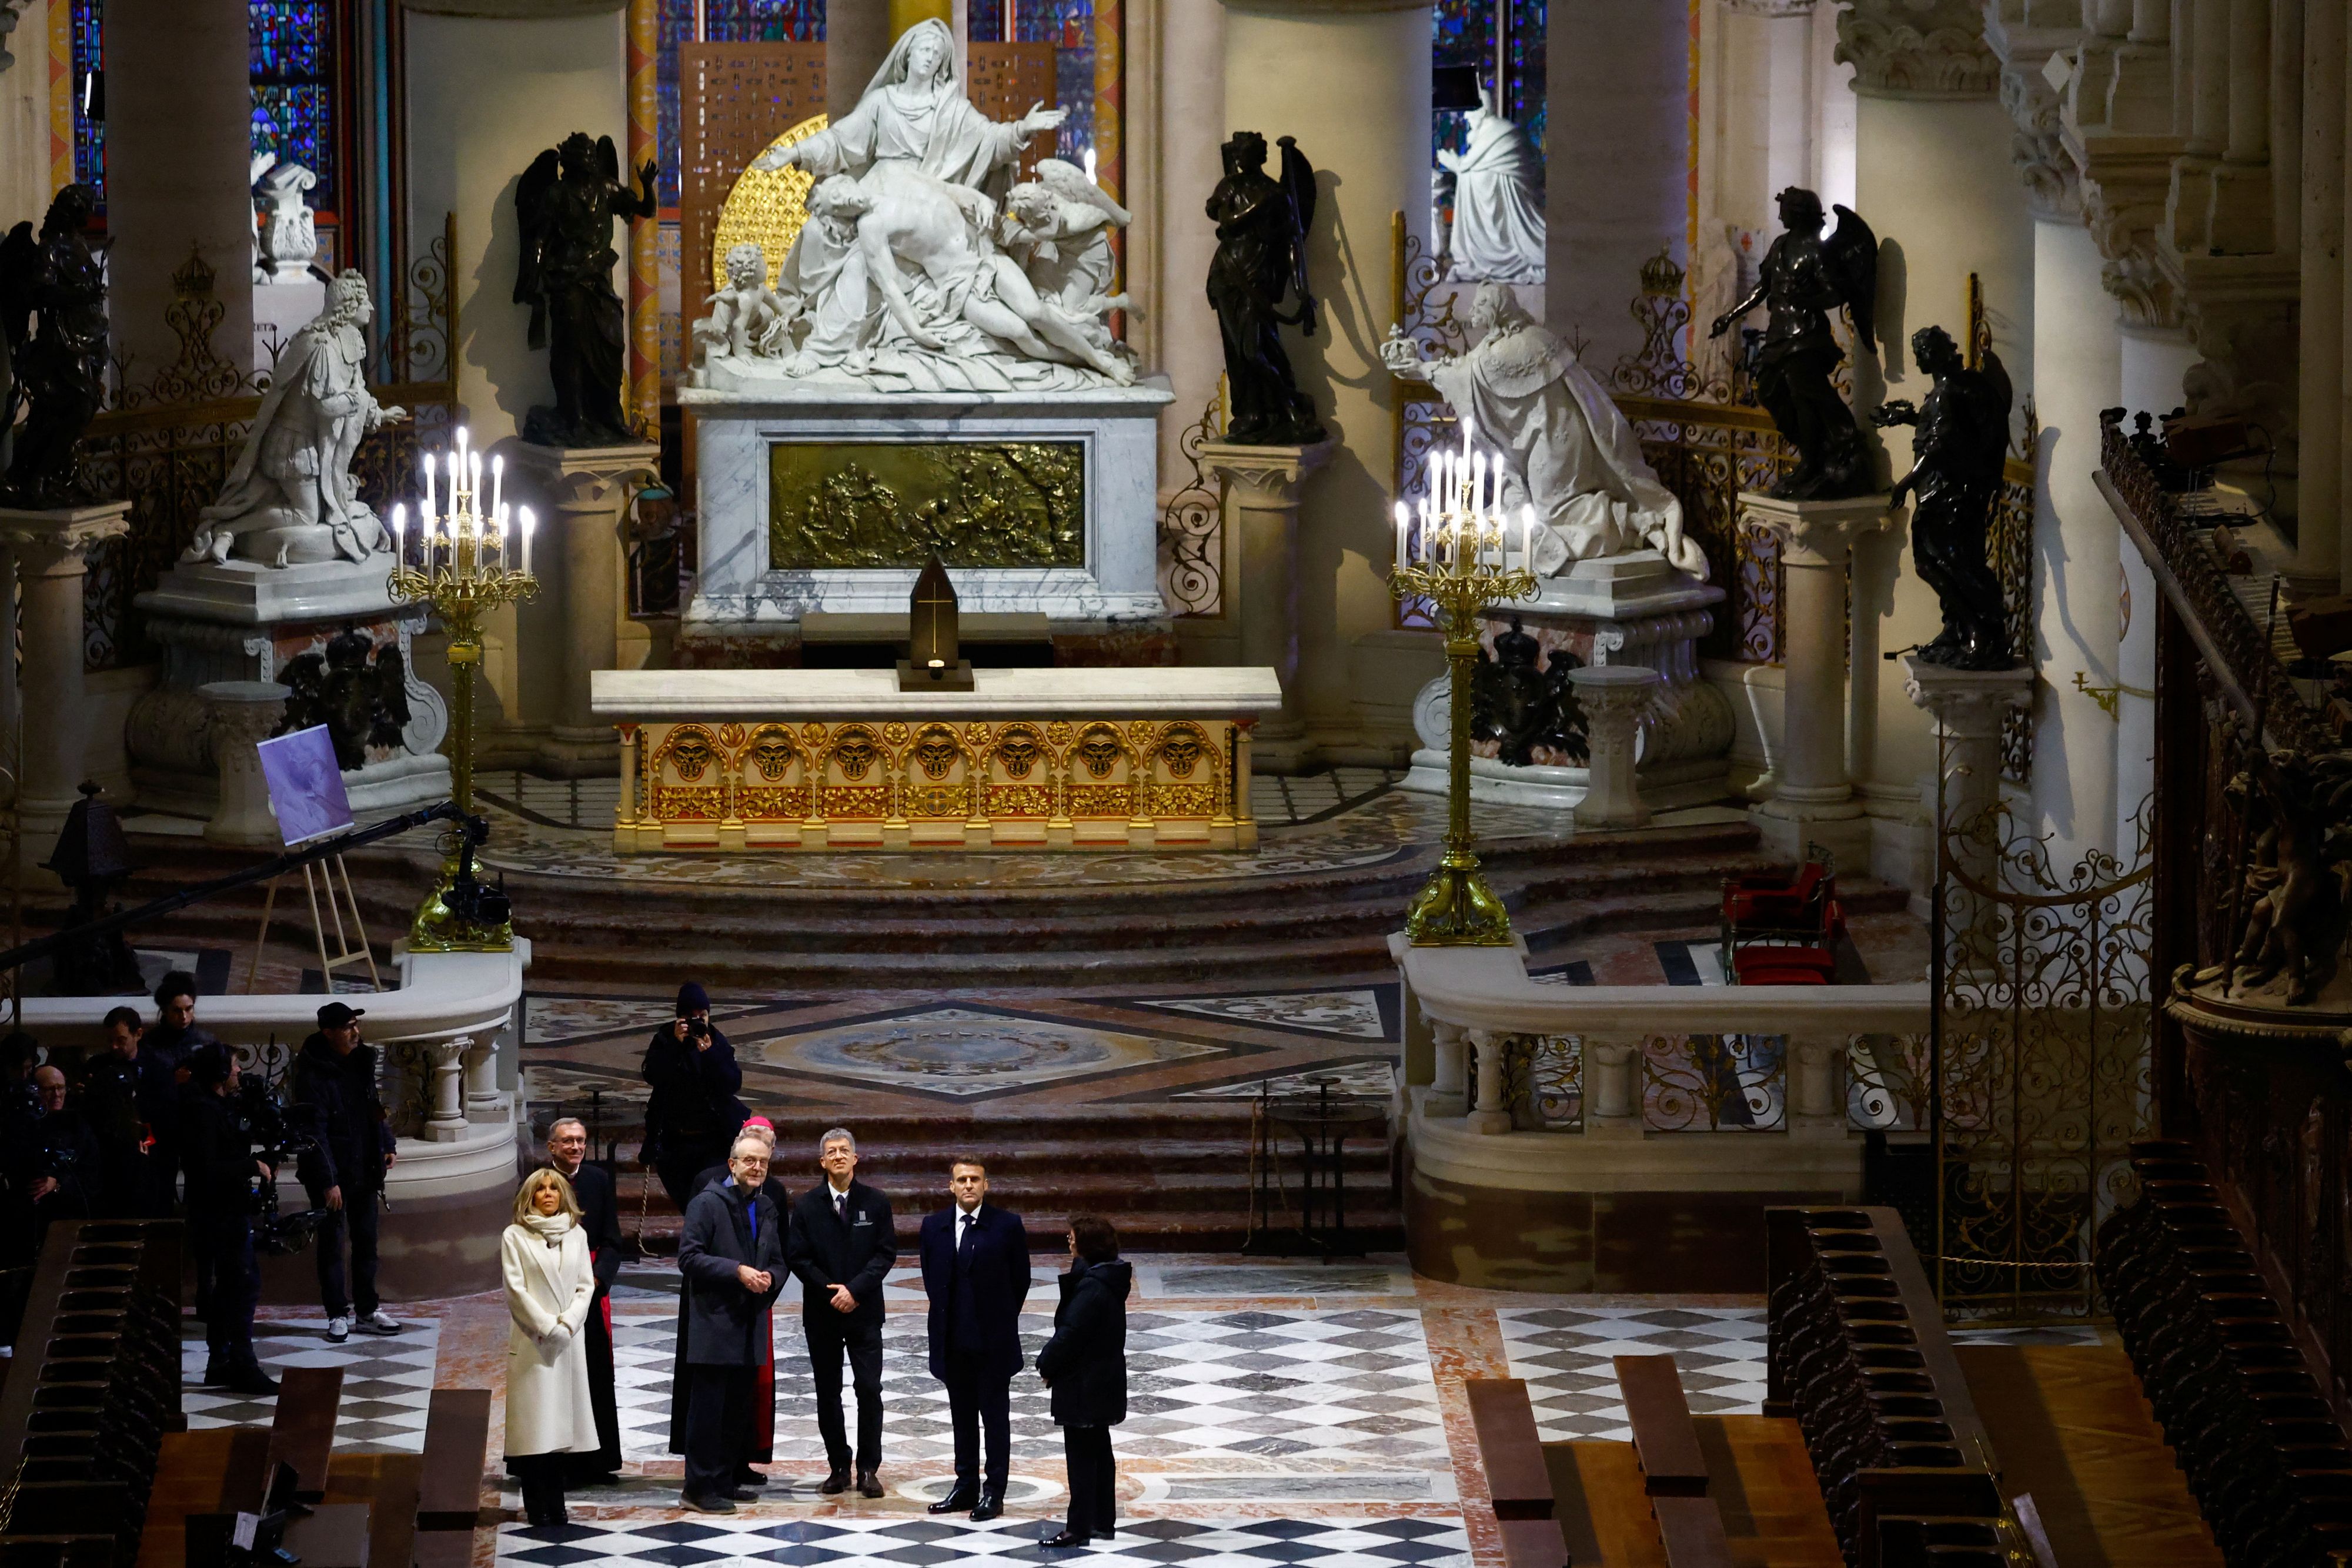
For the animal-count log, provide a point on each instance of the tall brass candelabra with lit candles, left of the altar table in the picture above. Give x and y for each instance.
(467, 568)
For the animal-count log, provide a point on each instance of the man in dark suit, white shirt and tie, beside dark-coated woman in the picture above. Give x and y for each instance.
(975, 1268)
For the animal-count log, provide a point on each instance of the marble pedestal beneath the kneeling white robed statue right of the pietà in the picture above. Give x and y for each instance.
(1624, 610)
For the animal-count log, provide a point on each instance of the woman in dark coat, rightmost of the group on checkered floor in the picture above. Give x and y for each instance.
(1085, 1367)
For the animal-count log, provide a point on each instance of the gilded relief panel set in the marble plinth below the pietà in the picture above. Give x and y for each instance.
(897, 504)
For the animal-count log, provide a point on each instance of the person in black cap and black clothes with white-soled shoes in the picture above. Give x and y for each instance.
(335, 1078)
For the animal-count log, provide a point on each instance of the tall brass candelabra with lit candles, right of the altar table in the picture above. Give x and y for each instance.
(1455, 554)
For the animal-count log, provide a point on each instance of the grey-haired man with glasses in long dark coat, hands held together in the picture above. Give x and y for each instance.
(730, 1268)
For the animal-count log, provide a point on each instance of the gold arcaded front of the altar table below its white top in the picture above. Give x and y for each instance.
(937, 784)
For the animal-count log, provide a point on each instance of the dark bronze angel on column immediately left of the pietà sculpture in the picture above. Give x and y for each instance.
(568, 203)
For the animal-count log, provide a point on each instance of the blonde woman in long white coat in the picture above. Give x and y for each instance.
(549, 1287)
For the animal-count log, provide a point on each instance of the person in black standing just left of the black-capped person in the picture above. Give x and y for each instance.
(218, 1155)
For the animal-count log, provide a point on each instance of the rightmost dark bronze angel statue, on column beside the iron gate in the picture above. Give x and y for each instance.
(1963, 438)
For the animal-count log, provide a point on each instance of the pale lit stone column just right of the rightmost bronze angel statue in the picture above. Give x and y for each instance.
(2076, 542)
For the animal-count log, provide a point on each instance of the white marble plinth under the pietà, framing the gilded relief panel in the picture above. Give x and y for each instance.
(740, 596)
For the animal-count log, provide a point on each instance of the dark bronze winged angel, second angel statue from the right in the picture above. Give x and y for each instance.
(1805, 276)
